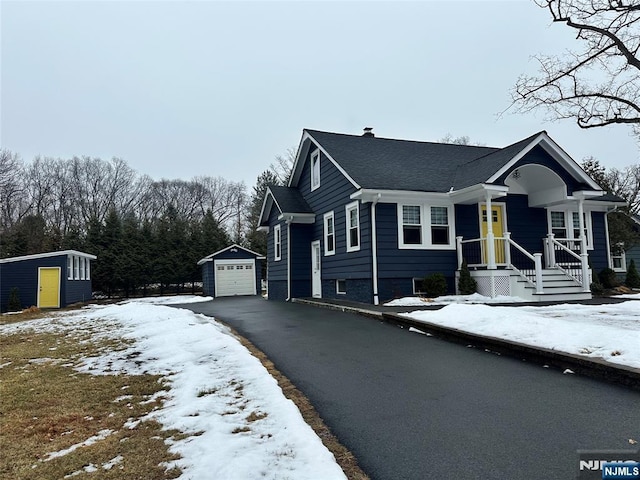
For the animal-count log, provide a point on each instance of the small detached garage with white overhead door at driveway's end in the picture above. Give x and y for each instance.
(232, 271)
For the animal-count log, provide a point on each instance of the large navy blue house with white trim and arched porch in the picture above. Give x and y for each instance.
(366, 219)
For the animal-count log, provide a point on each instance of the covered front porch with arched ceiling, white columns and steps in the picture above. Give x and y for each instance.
(554, 264)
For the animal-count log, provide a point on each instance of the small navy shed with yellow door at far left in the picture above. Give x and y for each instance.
(46, 280)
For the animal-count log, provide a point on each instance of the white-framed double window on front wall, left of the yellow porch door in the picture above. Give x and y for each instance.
(425, 226)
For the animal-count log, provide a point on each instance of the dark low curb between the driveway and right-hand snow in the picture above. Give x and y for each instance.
(590, 367)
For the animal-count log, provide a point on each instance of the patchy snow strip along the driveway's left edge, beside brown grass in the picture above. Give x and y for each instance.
(249, 428)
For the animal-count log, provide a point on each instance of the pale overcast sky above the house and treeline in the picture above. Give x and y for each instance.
(181, 89)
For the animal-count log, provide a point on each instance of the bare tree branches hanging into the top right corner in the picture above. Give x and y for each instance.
(599, 84)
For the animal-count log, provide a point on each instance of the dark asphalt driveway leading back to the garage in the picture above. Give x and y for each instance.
(415, 407)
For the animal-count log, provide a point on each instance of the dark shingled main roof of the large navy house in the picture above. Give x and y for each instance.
(389, 164)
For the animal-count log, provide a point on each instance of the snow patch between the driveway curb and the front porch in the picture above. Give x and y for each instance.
(610, 331)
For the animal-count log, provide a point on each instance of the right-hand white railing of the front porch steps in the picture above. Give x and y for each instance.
(569, 256)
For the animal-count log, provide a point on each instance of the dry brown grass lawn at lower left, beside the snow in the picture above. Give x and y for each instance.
(46, 407)
